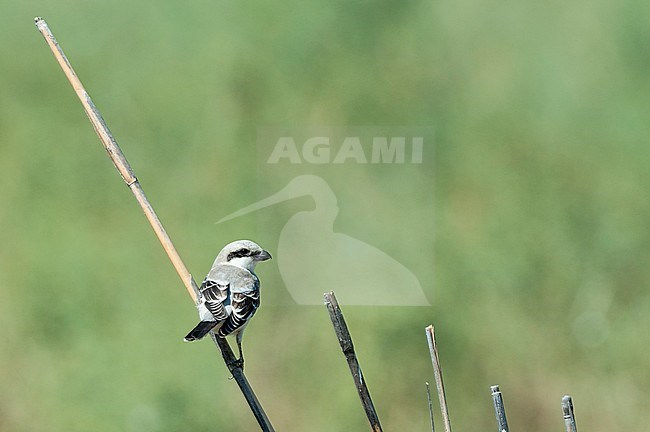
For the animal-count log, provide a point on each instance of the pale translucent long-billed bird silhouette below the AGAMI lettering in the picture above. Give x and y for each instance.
(313, 259)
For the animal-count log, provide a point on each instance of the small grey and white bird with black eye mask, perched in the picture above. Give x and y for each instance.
(230, 293)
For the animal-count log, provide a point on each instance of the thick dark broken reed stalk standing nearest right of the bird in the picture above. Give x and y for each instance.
(345, 340)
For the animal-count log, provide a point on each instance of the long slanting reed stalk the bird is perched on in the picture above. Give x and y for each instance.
(125, 170)
